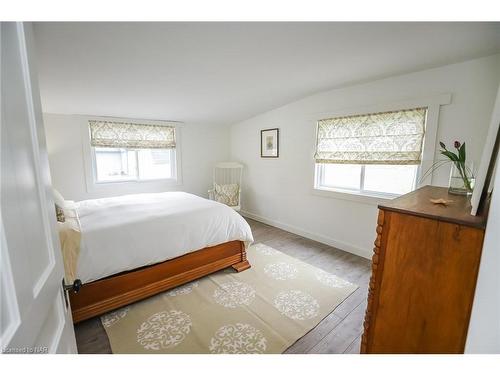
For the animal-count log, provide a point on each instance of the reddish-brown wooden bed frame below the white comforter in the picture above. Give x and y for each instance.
(112, 292)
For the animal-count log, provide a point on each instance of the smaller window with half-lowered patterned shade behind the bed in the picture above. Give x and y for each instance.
(132, 152)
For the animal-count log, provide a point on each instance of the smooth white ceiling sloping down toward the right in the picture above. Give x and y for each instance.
(222, 73)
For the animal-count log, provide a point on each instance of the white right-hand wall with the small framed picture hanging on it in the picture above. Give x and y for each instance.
(279, 191)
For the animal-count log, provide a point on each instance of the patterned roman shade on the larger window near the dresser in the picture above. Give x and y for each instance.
(378, 138)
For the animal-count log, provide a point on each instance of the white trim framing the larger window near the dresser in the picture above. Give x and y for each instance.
(433, 105)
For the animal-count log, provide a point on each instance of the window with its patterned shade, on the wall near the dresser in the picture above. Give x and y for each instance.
(373, 154)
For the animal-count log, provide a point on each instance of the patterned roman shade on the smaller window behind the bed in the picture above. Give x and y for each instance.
(131, 135)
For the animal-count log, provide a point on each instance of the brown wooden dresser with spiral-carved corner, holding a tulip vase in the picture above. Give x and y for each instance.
(424, 271)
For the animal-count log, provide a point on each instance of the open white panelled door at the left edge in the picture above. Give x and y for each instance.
(34, 316)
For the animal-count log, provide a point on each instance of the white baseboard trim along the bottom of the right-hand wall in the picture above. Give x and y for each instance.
(312, 236)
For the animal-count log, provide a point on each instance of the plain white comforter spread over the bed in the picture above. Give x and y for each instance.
(131, 231)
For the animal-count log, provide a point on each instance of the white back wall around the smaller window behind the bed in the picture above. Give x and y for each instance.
(201, 147)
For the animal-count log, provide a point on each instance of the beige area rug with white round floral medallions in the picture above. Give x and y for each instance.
(264, 309)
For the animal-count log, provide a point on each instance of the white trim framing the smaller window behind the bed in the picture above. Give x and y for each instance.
(94, 186)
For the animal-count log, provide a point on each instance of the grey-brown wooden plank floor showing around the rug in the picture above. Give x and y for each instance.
(339, 332)
